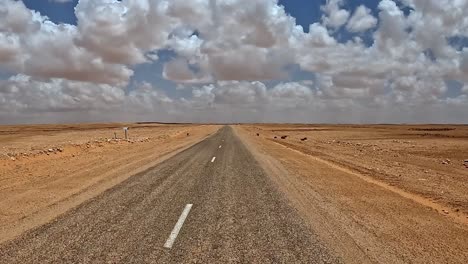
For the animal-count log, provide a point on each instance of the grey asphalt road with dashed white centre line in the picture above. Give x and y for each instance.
(209, 204)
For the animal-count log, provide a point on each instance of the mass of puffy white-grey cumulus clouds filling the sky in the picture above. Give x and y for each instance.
(234, 59)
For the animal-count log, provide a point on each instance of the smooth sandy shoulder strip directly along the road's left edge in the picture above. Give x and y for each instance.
(73, 188)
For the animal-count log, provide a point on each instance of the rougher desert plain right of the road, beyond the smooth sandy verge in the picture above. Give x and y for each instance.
(426, 161)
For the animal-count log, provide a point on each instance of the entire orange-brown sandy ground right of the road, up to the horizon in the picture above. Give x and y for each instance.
(378, 194)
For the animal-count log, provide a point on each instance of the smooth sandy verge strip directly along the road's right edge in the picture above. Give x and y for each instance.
(362, 221)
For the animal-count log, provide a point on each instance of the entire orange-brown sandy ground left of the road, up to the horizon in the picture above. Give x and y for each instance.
(47, 169)
